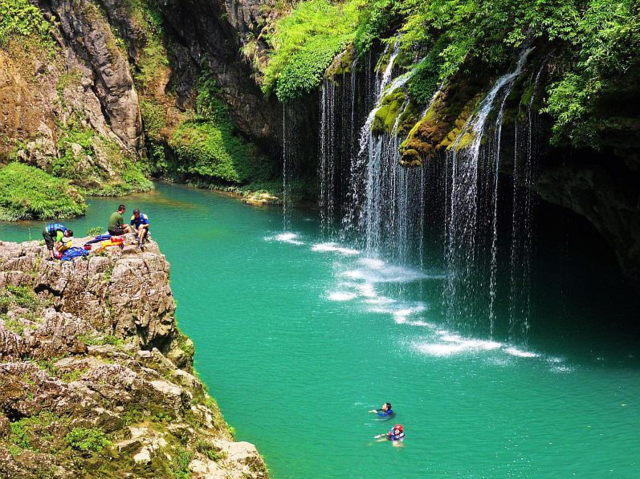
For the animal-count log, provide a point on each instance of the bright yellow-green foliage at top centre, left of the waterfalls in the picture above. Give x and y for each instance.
(304, 43)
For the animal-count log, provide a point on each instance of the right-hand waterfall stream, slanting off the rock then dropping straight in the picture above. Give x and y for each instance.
(469, 167)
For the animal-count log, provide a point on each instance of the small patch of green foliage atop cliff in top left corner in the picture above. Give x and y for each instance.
(22, 18)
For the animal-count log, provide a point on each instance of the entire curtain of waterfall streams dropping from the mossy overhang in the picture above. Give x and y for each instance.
(383, 206)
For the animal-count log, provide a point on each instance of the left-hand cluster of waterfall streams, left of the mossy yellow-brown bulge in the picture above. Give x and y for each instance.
(383, 202)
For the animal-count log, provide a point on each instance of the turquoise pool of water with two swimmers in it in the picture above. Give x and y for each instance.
(297, 341)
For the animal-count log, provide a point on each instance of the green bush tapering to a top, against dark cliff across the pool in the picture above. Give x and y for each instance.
(206, 145)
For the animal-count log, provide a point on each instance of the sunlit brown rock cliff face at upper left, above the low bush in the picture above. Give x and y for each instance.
(69, 106)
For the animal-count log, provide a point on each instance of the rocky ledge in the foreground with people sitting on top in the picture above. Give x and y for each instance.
(95, 378)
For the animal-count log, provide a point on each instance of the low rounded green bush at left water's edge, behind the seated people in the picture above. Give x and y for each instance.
(30, 193)
